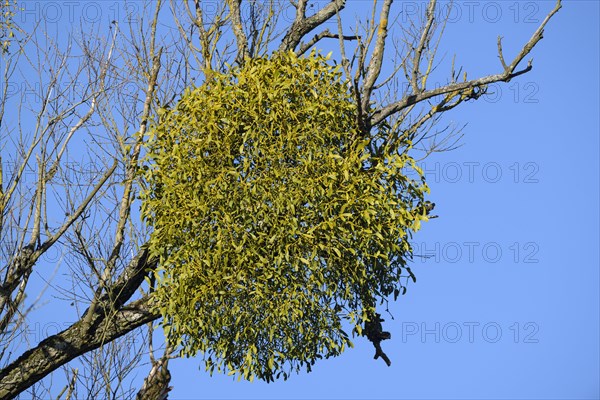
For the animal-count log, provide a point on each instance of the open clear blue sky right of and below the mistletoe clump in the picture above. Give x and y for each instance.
(507, 306)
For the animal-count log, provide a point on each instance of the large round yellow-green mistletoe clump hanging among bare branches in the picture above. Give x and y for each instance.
(272, 219)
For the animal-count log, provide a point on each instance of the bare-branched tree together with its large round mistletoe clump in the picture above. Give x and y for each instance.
(243, 179)
